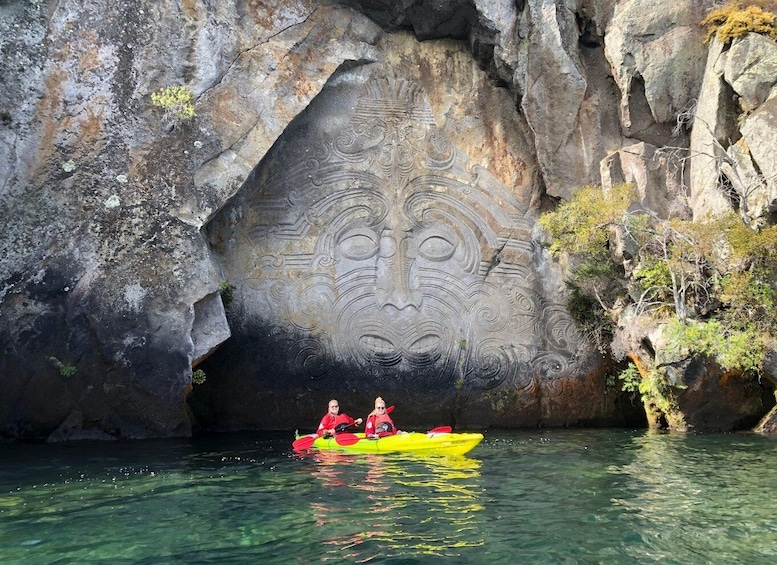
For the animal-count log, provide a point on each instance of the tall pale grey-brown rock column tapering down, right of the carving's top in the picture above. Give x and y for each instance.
(565, 96)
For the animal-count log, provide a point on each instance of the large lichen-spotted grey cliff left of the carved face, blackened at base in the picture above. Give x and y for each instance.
(103, 262)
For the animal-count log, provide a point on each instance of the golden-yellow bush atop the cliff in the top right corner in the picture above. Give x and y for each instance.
(738, 18)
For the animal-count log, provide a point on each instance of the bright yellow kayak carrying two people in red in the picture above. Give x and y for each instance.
(410, 442)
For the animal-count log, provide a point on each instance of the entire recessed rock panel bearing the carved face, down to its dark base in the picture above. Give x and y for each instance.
(384, 247)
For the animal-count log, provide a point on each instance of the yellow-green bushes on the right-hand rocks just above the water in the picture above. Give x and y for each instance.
(708, 284)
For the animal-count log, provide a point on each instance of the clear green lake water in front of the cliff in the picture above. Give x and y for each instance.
(588, 496)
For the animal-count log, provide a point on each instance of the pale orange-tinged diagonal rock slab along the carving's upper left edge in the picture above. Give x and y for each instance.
(264, 88)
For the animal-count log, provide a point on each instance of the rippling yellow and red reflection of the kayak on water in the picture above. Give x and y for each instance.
(398, 505)
